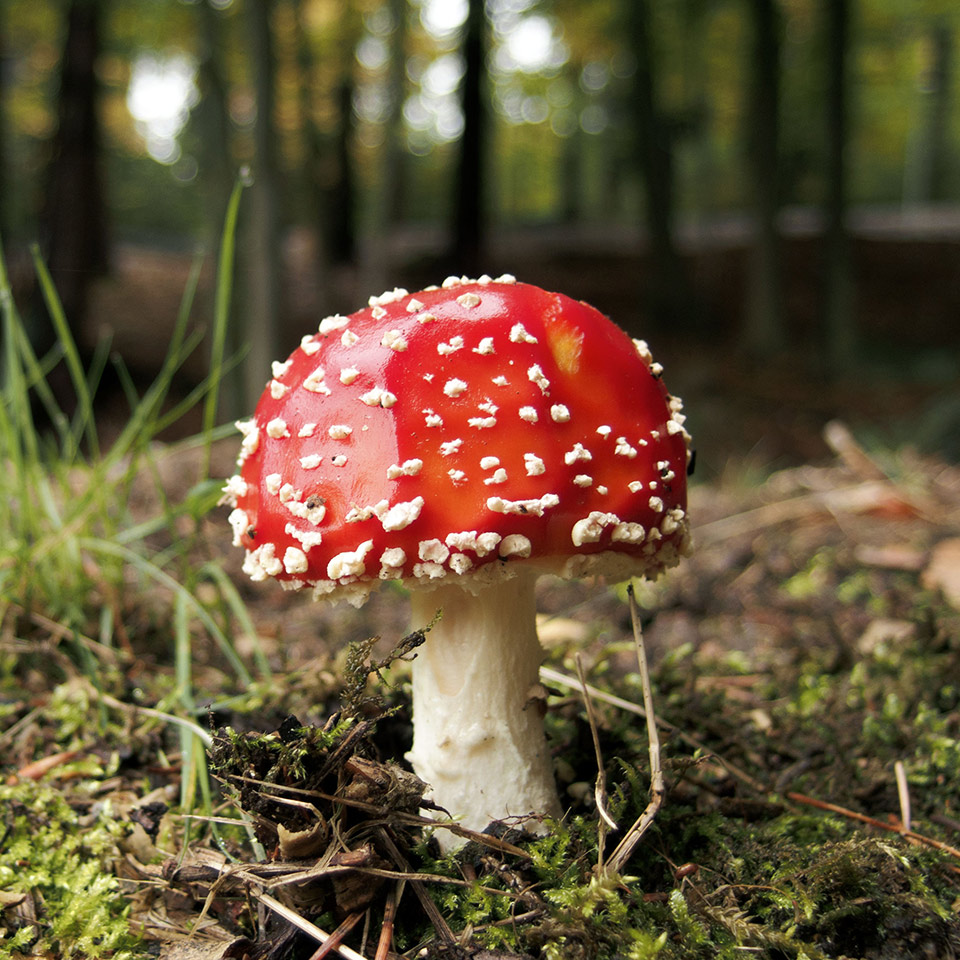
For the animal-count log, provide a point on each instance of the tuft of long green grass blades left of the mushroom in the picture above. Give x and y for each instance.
(71, 540)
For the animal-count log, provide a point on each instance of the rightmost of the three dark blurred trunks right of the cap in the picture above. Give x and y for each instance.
(841, 334)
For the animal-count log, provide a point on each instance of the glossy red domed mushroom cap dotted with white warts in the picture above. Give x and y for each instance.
(438, 434)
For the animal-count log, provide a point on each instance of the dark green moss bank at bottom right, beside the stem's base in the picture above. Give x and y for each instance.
(764, 879)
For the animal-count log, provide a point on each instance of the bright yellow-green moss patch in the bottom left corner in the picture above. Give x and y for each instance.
(62, 862)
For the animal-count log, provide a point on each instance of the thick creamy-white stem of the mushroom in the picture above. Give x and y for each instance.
(478, 726)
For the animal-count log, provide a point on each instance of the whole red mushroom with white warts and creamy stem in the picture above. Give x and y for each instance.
(463, 440)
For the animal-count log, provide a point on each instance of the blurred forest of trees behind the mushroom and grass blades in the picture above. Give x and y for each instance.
(767, 190)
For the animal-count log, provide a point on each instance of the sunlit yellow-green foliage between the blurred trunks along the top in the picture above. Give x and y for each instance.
(560, 83)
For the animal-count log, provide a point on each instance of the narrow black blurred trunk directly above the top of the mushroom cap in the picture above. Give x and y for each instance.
(469, 227)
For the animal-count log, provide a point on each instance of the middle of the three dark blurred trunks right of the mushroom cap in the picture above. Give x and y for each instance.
(764, 332)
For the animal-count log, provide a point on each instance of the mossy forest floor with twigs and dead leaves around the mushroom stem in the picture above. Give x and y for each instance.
(805, 665)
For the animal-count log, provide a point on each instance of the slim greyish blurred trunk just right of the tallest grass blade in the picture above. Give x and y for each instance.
(262, 256)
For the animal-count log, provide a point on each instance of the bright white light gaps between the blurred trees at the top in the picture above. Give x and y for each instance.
(529, 62)
